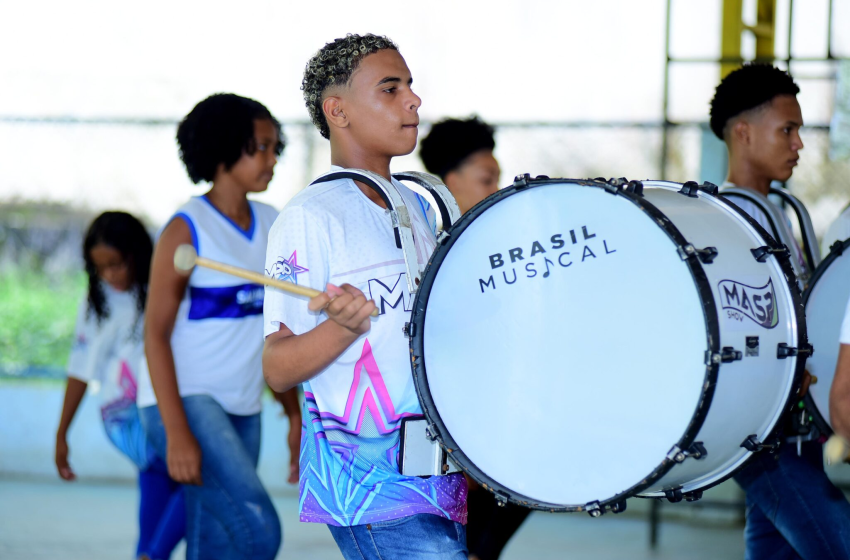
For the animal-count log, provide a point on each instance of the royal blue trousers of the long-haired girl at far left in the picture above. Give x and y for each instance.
(162, 511)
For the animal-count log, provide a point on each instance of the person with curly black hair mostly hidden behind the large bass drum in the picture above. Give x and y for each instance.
(460, 152)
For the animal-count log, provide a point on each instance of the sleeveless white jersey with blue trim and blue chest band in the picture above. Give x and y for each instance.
(218, 333)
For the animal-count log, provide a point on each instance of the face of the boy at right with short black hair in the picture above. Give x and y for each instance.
(775, 138)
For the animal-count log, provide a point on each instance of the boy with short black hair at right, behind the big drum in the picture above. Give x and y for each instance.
(793, 510)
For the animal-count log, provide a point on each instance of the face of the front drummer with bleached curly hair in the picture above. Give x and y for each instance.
(381, 107)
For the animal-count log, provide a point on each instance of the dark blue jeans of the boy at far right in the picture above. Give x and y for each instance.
(793, 510)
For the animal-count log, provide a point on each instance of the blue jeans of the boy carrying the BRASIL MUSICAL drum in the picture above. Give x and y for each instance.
(418, 537)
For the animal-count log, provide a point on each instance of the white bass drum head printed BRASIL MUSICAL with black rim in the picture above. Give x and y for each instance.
(560, 343)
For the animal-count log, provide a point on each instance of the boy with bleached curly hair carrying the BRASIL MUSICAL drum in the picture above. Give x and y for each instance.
(337, 236)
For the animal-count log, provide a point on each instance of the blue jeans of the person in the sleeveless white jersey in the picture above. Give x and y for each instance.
(230, 516)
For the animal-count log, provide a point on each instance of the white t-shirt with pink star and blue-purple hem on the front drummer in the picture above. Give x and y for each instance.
(332, 233)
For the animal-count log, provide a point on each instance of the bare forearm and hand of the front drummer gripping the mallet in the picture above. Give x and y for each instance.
(289, 359)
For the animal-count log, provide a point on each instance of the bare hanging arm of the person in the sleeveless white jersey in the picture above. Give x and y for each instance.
(165, 293)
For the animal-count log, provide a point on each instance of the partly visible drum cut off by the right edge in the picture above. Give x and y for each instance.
(826, 301)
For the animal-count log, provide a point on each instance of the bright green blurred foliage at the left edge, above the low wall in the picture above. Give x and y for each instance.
(37, 315)
